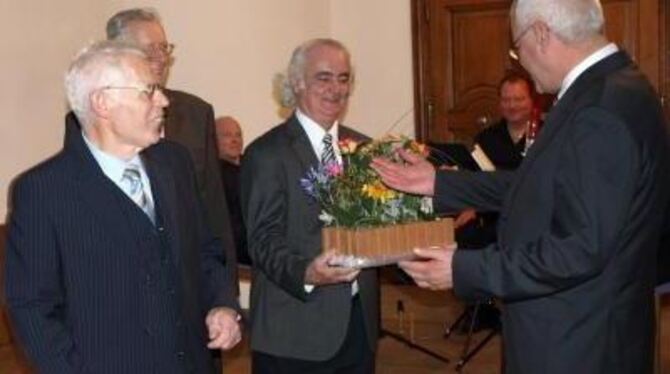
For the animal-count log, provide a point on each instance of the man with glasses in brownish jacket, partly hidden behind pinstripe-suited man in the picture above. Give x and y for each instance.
(189, 121)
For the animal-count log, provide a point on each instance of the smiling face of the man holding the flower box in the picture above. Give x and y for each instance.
(324, 91)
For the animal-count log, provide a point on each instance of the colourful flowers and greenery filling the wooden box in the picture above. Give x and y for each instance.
(355, 197)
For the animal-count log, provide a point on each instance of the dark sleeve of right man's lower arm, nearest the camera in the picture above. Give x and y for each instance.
(594, 190)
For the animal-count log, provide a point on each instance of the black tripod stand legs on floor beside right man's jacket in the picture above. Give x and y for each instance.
(495, 327)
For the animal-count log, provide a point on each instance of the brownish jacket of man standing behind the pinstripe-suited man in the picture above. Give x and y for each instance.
(189, 121)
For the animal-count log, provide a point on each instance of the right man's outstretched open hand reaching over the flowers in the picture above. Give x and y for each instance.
(417, 176)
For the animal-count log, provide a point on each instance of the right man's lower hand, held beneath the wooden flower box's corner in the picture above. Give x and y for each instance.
(432, 269)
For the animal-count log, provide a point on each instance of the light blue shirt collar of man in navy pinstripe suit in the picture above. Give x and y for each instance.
(113, 168)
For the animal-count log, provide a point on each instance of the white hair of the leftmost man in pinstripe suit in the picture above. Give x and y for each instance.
(94, 67)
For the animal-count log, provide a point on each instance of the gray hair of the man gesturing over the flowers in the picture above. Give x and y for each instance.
(573, 21)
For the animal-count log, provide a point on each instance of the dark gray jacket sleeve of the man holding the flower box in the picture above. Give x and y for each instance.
(264, 206)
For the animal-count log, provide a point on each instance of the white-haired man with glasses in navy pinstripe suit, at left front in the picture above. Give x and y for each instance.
(110, 265)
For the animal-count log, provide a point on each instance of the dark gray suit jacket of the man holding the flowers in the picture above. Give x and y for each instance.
(284, 236)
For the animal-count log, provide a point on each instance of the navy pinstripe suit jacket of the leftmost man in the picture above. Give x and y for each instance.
(79, 283)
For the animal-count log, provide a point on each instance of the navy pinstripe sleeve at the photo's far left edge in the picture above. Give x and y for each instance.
(34, 290)
